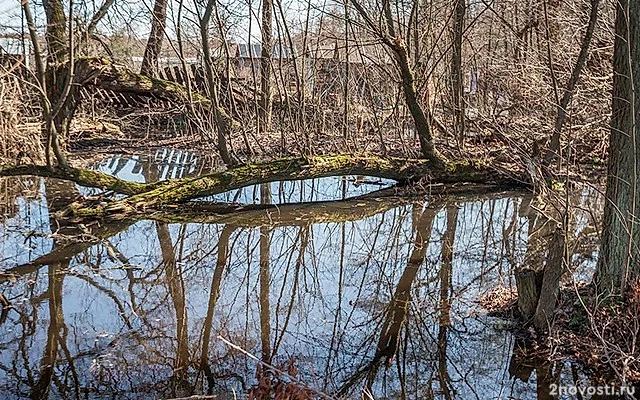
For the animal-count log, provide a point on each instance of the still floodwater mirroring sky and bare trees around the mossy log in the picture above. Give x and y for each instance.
(347, 299)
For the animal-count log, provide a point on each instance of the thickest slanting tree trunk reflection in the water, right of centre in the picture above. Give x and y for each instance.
(396, 312)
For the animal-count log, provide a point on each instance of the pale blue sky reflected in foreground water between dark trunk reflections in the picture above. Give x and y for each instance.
(331, 329)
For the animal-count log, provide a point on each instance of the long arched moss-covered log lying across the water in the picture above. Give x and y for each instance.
(400, 170)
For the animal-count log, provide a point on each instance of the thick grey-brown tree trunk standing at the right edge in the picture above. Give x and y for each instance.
(619, 261)
